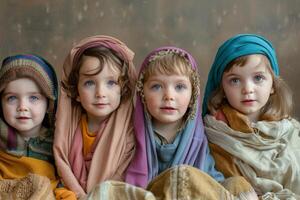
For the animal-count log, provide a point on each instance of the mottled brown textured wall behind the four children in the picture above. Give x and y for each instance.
(50, 28)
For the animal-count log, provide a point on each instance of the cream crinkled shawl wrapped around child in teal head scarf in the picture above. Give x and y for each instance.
(272, 163)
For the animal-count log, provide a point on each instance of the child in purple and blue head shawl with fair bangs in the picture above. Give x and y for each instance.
(168, 120)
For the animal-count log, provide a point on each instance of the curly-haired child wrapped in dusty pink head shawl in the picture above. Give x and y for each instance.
(94, 139)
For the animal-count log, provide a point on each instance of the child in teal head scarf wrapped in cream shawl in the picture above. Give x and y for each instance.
(246, 111)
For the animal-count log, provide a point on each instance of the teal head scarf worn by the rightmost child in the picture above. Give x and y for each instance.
(237, 46)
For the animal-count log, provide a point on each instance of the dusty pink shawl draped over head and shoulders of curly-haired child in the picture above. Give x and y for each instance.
(114, 149)
